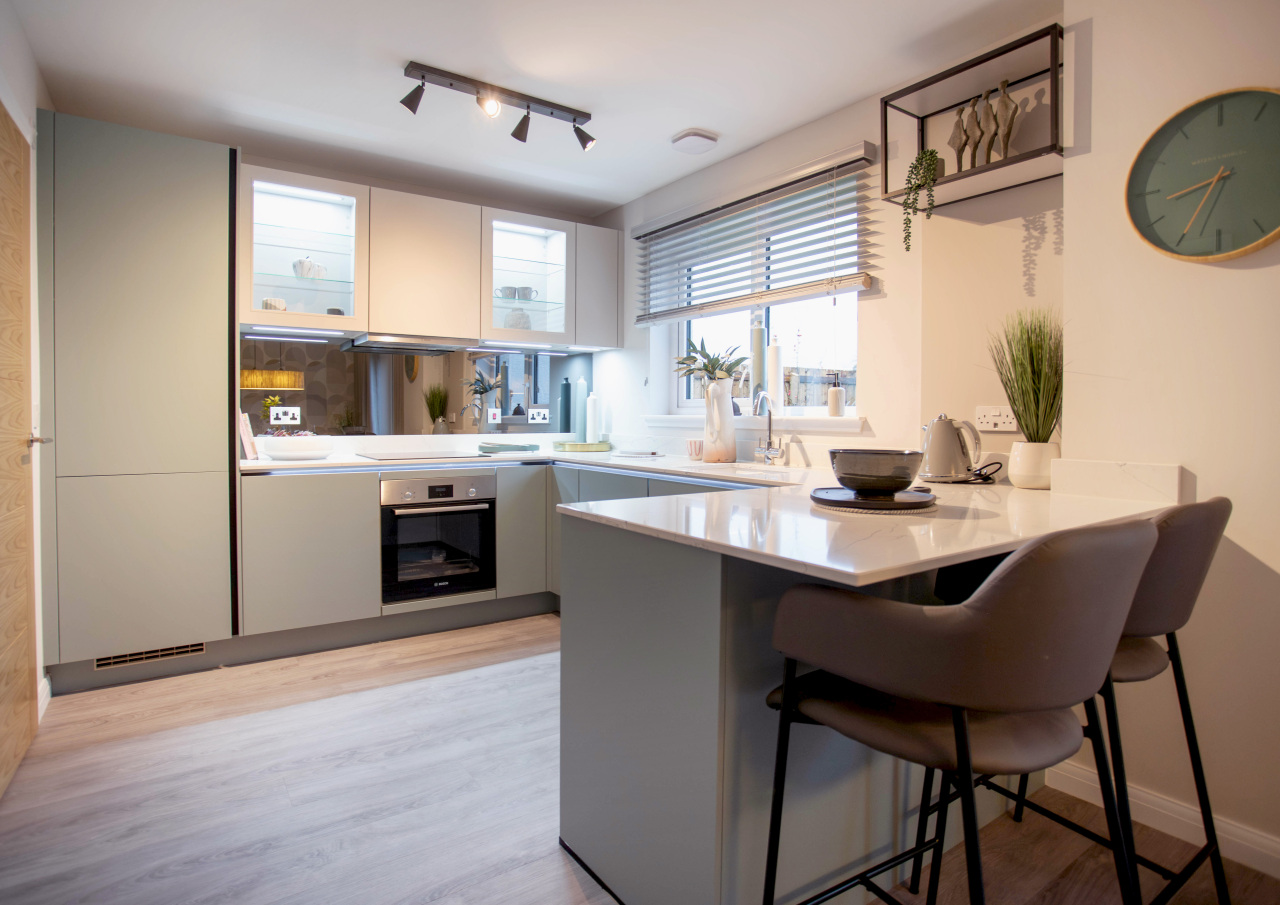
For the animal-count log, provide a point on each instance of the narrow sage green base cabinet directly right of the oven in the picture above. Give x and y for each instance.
(522, 540)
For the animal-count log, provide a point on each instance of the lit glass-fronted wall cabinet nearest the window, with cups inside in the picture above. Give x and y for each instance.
(529, 278)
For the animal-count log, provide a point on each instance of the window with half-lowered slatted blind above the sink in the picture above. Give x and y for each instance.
(787, 262)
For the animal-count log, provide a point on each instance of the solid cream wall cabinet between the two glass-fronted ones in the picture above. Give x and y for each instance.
(424, 266)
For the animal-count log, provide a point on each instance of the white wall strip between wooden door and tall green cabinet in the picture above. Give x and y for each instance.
(22, 90)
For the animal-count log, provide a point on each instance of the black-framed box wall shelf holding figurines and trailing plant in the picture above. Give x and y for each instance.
(1027, 63)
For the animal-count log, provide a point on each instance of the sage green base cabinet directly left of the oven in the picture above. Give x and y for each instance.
(310, 550)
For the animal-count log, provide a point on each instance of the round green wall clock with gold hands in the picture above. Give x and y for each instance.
(1206, 188)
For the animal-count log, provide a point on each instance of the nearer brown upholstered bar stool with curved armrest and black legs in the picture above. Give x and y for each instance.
(985, 685)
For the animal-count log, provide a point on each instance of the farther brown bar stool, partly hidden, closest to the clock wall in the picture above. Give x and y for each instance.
(1188, 538)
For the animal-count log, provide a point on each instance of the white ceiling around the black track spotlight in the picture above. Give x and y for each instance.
(319, 81)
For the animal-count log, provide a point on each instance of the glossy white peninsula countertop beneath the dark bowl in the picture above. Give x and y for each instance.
(780, 527)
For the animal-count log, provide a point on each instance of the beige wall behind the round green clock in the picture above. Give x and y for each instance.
(1177, 363)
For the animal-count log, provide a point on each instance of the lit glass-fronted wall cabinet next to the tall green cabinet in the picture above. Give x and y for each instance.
(304, 252)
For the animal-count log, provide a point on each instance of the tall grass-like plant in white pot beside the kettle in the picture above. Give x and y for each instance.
(1028, 358)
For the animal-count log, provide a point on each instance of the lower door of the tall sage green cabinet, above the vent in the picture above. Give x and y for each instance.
(144, 563)
